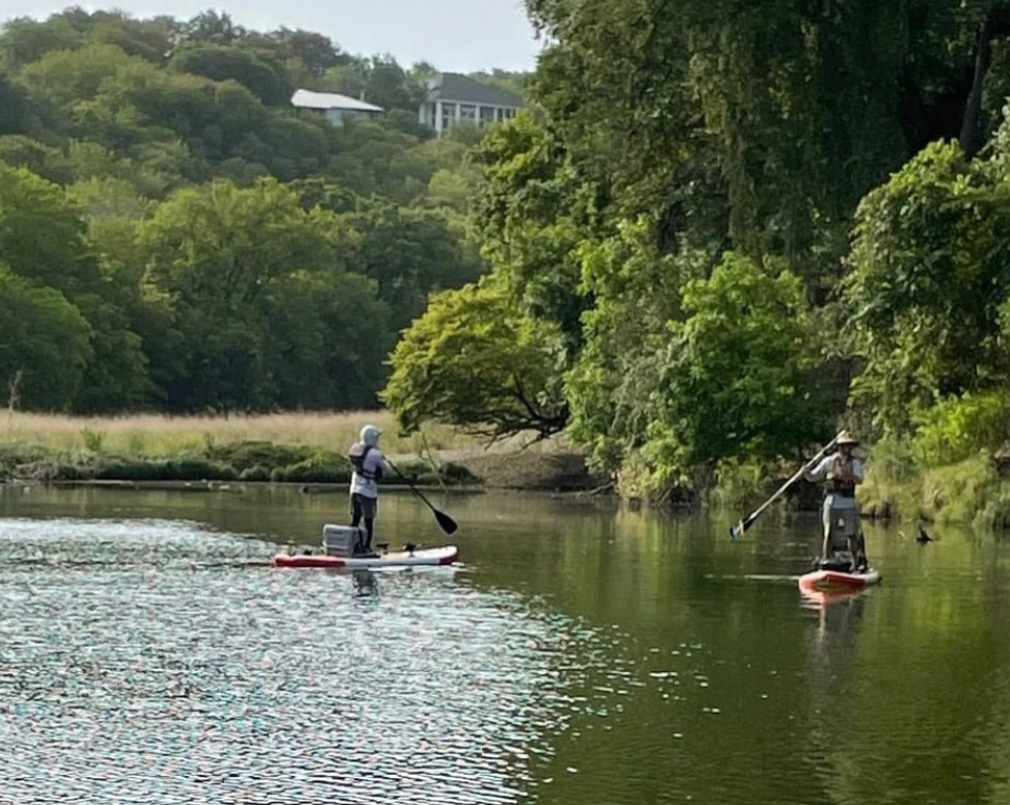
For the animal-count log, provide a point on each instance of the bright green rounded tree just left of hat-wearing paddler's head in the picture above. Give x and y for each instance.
(739, 381)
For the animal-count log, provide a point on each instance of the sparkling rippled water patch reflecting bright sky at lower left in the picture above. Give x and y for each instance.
(142, 662)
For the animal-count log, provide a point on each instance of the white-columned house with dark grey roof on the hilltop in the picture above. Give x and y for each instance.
(454, 98)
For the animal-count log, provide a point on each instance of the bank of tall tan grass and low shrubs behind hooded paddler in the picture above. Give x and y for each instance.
(292, 448)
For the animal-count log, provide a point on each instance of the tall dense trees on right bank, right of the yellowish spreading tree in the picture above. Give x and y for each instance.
(747, 222)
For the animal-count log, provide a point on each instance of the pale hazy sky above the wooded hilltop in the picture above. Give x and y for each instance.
(455, 36)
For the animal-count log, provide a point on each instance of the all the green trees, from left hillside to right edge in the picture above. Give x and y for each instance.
(719, 229)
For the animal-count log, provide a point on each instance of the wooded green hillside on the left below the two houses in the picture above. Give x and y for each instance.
(175, 236)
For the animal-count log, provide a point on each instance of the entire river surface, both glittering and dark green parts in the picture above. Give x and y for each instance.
(581, 655)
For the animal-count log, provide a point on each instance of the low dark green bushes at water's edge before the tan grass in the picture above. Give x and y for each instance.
(316, 468)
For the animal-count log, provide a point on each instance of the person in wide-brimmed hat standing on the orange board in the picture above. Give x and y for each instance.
(843, 472)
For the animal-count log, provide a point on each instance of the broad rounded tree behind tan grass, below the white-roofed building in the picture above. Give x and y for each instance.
(267, 312)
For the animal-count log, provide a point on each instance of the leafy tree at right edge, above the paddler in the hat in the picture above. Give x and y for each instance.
(928, 281)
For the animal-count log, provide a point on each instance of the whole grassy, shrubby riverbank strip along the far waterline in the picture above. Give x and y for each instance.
(309, 450)
